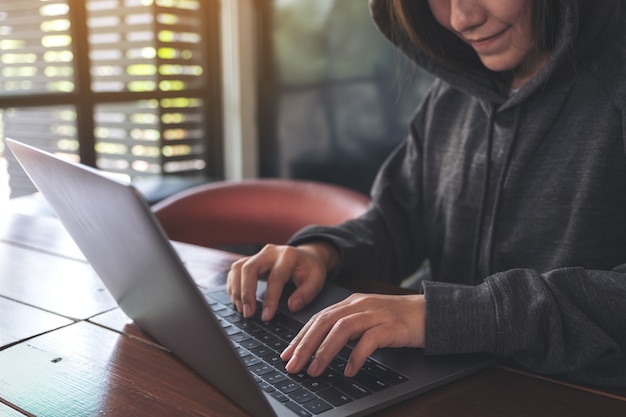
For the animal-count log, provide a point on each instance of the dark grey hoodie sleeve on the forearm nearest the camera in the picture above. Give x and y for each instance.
(567, 321)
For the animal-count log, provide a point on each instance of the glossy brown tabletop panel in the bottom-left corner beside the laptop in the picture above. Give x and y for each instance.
(85, 370)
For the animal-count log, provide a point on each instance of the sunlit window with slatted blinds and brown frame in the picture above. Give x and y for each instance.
(129, 86)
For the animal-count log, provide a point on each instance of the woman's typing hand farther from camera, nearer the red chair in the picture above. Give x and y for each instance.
(306, 265)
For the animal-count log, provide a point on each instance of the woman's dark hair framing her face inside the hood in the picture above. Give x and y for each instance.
(415, 20)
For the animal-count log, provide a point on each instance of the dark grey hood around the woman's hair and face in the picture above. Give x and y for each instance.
(572, 35)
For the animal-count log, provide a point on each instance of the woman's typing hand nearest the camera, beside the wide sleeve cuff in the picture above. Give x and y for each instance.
(378, 321)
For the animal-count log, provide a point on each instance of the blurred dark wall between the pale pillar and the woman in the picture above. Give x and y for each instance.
(336, 96)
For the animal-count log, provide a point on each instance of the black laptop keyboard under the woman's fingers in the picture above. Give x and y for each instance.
(260, 344)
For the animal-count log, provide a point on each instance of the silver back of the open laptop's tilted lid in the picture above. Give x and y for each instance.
(116, 231)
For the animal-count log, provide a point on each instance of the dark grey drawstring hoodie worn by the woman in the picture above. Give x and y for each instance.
(518, 203)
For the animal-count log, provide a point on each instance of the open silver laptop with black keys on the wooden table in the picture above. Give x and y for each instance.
(126, 246)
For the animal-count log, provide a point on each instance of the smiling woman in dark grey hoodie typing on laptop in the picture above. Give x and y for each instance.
(511, 183)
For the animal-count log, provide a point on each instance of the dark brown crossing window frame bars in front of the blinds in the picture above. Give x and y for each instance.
(84, 99)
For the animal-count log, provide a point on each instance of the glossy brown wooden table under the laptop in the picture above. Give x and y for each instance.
(67, 350)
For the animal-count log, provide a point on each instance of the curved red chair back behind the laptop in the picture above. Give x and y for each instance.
(250, 213)
